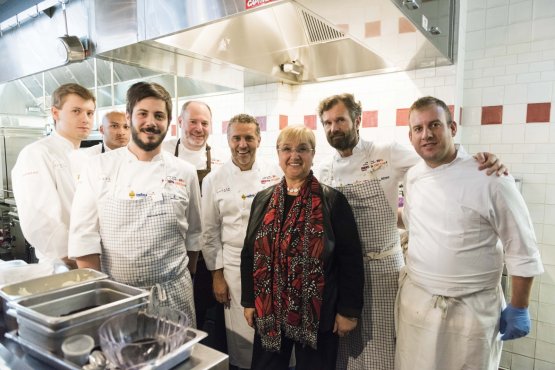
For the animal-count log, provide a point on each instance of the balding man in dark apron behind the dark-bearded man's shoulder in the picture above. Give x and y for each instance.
(195, 122)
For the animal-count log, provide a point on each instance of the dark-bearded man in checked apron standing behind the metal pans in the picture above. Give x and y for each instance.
(136, 212)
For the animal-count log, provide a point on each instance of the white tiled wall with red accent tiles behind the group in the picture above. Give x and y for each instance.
(507, 58)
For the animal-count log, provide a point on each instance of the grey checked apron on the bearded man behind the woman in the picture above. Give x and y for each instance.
(371, 346)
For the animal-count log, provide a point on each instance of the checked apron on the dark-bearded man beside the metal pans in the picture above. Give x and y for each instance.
(142, 246)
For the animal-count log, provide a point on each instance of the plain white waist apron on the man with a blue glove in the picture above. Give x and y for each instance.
(437, 332)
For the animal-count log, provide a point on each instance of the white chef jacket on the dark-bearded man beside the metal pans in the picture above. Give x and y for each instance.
(134, 180)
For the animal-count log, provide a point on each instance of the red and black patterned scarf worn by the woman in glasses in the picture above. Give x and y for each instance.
(288, 267)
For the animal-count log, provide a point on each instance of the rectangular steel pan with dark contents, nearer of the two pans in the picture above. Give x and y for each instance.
(65, 307)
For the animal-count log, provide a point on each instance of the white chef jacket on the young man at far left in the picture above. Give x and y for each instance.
(44, 179)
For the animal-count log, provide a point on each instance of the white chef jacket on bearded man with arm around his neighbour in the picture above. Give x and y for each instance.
(389, 163)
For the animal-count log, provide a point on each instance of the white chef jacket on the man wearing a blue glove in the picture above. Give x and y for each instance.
(455, 215)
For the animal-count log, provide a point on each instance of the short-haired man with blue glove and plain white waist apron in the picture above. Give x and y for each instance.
(450, 304)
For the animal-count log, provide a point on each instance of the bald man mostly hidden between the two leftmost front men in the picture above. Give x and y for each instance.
(115, 133)
